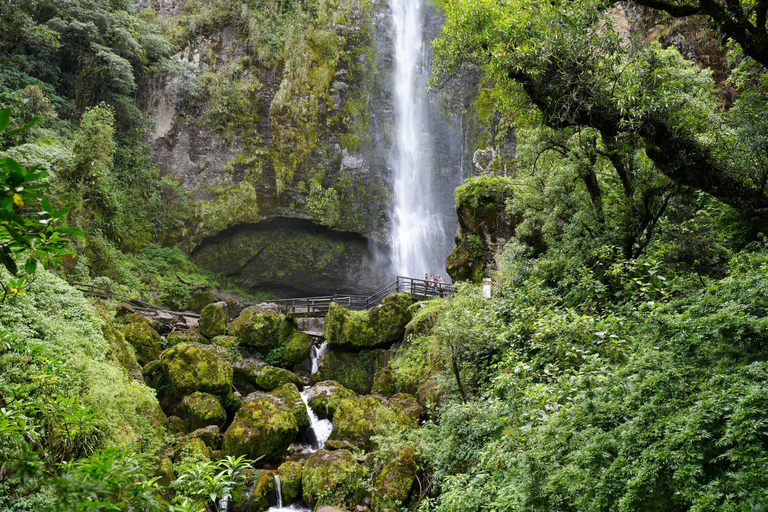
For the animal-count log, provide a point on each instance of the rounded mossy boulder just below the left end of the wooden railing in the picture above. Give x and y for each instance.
(261, 328)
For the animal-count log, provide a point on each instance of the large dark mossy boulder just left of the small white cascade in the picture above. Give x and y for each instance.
(266, 424)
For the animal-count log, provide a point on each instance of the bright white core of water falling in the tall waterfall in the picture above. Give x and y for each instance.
(418, 233)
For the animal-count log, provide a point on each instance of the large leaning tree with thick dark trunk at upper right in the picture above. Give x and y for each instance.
(565, 59)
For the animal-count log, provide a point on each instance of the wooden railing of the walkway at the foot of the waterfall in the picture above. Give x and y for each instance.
(312, 306)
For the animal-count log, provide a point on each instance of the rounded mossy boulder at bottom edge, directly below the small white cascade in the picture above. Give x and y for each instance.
(336, 475)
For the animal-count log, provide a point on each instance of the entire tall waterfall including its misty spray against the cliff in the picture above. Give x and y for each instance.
(423, 220)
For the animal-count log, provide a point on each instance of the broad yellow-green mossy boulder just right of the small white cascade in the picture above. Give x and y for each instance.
(358, 419)
